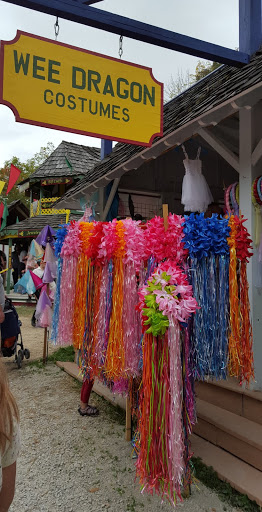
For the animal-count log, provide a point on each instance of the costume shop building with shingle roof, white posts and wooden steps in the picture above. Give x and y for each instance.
(221, 113)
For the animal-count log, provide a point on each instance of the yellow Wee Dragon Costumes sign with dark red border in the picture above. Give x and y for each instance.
(52, 84)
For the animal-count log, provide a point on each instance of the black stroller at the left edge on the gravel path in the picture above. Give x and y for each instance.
(11, 336)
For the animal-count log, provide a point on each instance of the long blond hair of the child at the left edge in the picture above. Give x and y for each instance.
(8, 409)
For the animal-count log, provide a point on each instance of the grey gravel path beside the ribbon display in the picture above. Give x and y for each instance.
(70, 463)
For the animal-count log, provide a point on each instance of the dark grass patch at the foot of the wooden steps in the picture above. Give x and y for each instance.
(226, 493)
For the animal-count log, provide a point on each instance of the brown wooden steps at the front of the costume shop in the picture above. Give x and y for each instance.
(228, 434)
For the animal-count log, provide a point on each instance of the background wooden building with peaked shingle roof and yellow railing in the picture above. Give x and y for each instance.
(63, 169)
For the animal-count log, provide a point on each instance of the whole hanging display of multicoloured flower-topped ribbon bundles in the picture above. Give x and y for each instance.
(160, 306)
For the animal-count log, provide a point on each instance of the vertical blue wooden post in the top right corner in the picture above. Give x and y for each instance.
(250, 13)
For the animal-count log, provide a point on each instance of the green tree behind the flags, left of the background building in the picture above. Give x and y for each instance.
(26, 168)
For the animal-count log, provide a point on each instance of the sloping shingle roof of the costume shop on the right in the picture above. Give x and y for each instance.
(219, 86)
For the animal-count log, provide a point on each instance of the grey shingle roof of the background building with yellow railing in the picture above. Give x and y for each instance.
(81, 158)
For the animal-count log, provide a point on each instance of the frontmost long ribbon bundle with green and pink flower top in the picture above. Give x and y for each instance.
(166, 305)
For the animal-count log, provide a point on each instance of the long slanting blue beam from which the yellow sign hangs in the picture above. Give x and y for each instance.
(103, 20)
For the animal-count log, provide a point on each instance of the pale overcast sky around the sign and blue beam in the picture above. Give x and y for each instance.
(209, 20)
